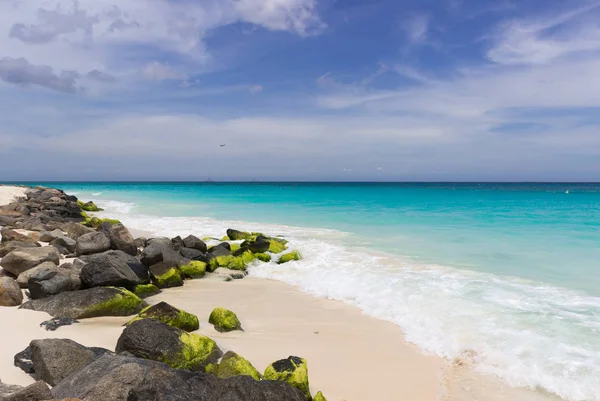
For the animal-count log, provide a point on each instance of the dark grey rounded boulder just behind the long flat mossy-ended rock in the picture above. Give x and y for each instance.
(113, 268)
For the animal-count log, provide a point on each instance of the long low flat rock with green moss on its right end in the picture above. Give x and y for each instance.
(99, 301)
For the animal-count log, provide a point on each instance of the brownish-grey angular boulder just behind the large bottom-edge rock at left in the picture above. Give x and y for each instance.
(55, 359)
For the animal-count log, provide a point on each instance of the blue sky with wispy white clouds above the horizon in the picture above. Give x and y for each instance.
(348, 90)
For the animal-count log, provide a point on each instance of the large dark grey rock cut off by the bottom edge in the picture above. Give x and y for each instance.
(126, 378)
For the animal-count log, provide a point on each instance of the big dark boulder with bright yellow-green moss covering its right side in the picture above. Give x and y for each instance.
(152, 339)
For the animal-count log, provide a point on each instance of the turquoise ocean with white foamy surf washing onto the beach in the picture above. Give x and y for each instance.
(507, 275)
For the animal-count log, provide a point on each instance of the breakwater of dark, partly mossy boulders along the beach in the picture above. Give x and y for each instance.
(74, 265)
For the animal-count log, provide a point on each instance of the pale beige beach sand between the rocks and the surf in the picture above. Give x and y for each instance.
(353, 357)
